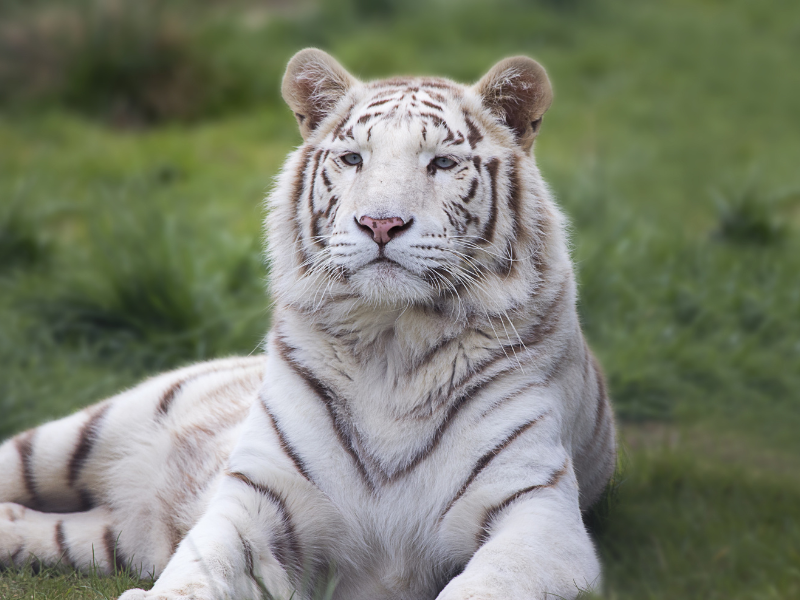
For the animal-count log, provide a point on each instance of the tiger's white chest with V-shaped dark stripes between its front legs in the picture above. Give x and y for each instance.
(394, 494)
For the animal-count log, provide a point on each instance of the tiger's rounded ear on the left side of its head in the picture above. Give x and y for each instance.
(312, 85)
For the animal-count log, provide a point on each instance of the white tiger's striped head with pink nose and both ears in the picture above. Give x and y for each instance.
(411, 191)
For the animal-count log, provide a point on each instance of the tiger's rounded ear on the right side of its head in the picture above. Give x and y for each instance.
(517, 91)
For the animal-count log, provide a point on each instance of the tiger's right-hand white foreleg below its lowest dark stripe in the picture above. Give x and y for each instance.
(535, 547)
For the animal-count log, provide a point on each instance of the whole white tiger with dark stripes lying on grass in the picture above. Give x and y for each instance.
(427, 421)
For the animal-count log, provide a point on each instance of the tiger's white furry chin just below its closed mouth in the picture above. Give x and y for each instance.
(387, 283)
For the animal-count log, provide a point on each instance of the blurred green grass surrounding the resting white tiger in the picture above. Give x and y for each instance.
(139, 138)
